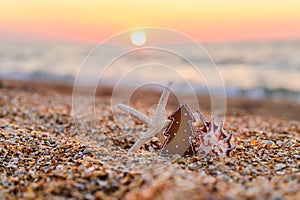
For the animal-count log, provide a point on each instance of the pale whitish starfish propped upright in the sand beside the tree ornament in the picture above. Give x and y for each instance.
(156, 125)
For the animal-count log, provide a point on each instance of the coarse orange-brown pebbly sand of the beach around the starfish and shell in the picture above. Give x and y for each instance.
(44, 156)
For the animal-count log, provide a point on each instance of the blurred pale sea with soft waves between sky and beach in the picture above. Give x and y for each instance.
(256, 70)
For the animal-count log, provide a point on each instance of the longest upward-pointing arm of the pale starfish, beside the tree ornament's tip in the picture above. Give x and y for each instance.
(163, 102)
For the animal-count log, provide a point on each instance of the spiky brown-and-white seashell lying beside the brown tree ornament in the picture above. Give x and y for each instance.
(212, 139)
